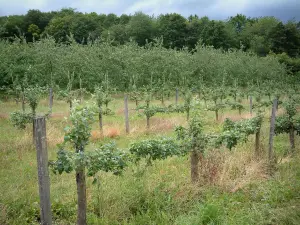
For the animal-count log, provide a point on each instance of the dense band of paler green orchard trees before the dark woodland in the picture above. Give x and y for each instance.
(130, 67)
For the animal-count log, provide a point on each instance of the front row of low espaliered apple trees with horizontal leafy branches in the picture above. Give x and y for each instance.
(191, 140)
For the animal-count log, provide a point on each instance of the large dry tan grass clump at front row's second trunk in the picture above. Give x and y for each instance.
(231, 170)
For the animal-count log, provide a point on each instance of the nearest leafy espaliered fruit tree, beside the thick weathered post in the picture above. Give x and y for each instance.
(107, 158)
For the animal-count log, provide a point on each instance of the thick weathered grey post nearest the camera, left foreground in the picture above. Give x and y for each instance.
(39, 124)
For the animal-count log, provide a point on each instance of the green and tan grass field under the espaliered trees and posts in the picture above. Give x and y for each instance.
(235, 187)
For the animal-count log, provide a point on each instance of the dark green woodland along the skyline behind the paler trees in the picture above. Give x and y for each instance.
(260, 35)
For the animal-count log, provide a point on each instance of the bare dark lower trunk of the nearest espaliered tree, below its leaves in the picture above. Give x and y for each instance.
(81, 196)
